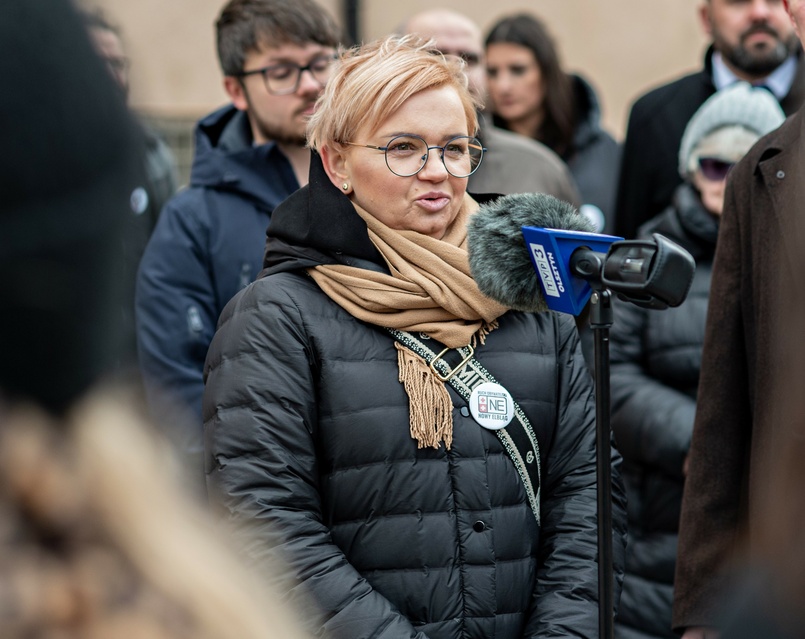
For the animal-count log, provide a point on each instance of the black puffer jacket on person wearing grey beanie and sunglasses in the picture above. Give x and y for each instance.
(655, 361)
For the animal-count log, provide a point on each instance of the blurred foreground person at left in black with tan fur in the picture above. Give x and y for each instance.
(97, 538)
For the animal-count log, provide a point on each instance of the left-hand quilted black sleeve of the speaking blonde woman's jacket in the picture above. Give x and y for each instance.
(262, 469)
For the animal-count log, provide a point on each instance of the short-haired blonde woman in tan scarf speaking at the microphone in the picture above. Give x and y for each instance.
(335, 443)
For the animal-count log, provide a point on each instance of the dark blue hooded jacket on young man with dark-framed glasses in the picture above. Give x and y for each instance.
(207, 245)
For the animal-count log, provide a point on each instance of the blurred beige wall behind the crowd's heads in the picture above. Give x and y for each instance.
(622, 46)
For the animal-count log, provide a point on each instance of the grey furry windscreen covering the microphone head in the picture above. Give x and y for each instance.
(499, 259)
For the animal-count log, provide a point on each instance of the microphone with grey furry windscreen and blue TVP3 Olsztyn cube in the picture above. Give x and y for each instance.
(515, 235)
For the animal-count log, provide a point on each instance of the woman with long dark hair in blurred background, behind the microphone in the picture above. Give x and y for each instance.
(532, 95)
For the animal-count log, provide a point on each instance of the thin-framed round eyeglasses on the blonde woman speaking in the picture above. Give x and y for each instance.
(406, 155)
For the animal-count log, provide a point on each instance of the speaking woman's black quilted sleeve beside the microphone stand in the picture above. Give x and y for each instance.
(566, 599)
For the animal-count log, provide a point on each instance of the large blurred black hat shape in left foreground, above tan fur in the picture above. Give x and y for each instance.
(71, 154)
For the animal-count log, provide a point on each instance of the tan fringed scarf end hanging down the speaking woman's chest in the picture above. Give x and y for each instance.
(429, 402)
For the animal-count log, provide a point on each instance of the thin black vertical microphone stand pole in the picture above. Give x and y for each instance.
(601, 318)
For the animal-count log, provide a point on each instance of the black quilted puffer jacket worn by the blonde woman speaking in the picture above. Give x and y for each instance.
(308, 442)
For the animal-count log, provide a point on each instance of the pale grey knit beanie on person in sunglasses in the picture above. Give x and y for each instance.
(748, 112)
